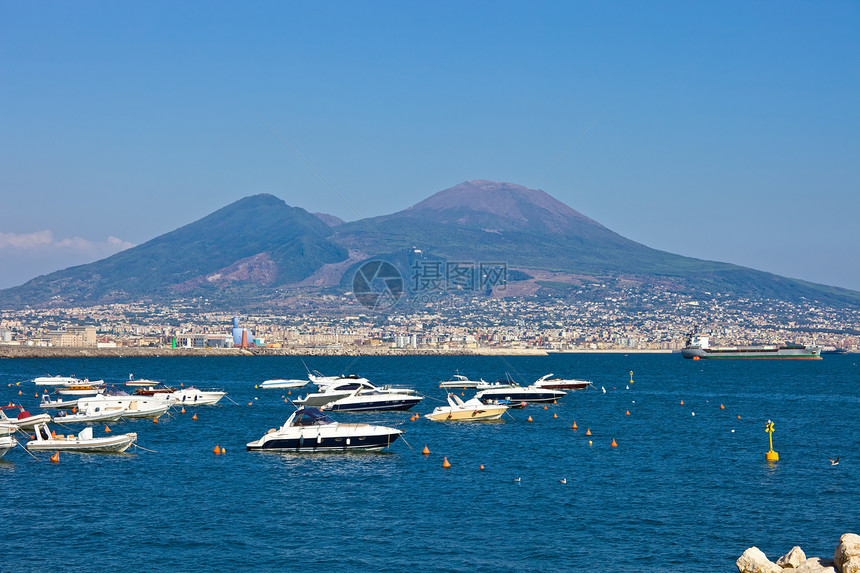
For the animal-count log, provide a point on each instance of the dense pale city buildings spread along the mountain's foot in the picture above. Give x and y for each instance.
(652, 321)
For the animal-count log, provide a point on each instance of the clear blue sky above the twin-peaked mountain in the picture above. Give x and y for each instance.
(720, 130)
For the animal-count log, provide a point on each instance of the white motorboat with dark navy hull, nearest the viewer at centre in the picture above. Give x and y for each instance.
(309, 430)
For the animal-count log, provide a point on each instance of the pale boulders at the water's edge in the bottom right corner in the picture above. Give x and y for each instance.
(846, 559)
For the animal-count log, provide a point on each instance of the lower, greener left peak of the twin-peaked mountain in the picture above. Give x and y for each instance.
(257, 241)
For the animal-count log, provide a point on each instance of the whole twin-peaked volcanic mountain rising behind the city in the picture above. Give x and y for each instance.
(260, 244)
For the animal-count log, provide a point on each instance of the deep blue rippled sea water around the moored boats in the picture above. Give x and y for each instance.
(687, 488)
